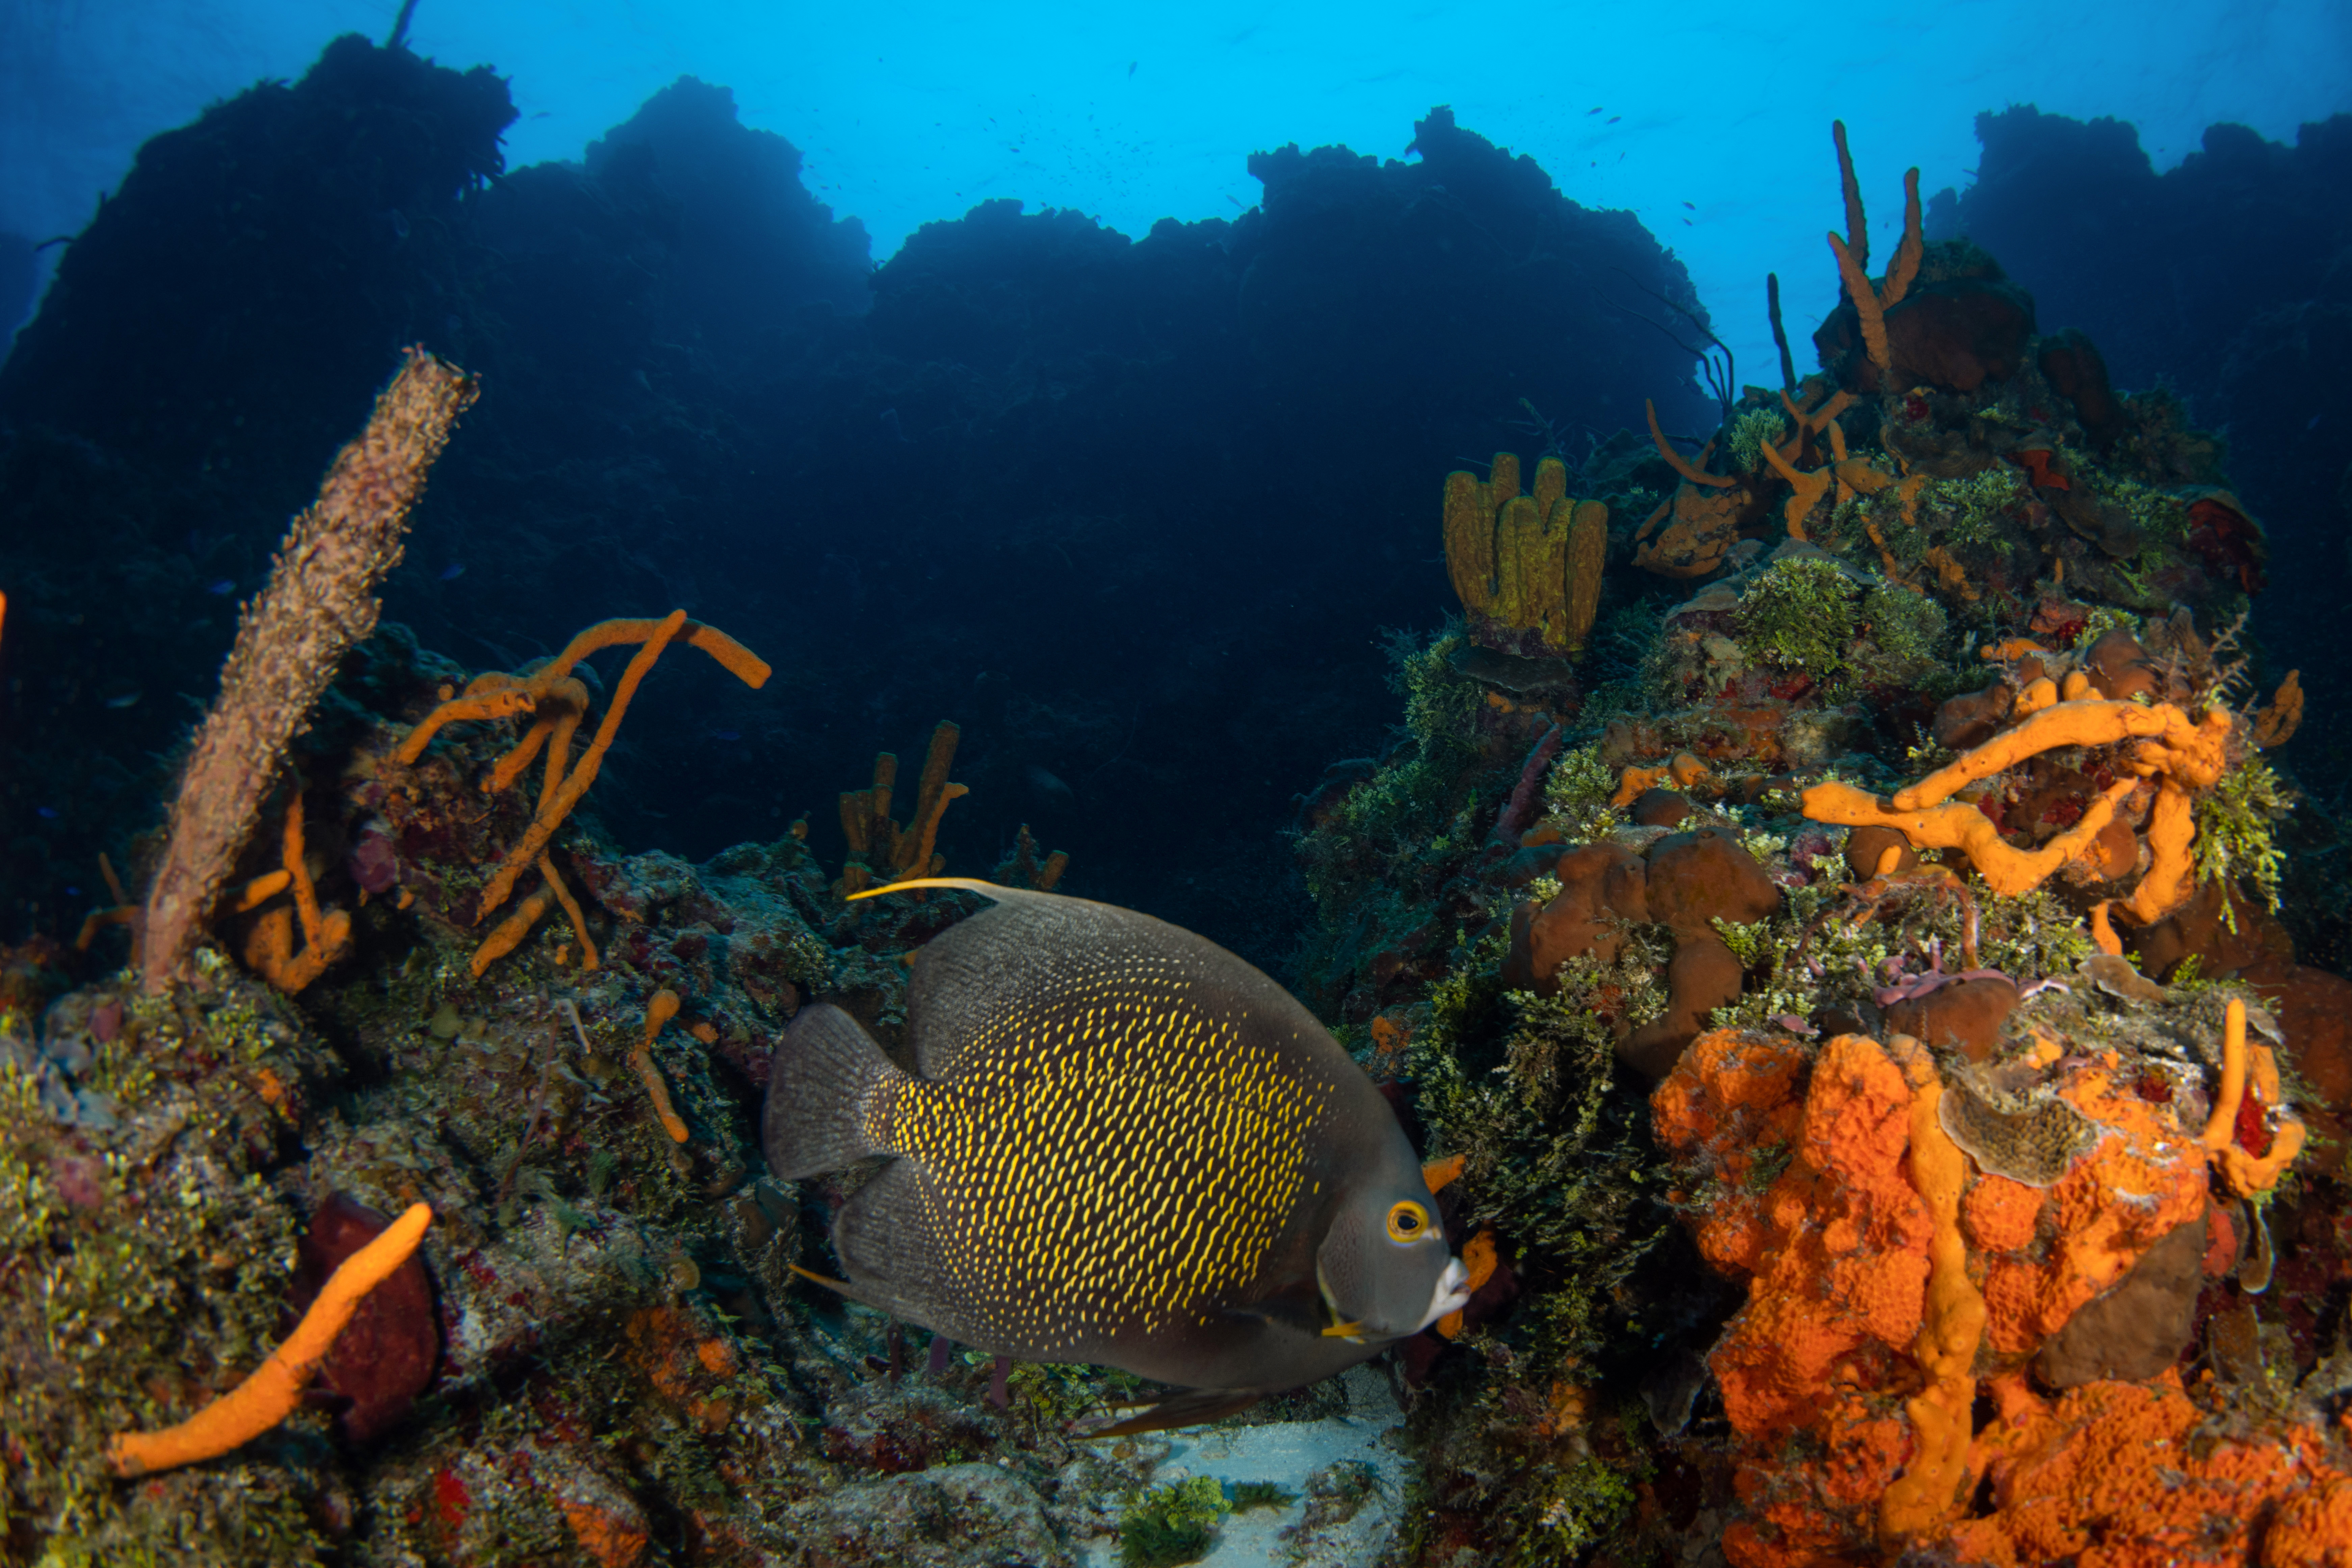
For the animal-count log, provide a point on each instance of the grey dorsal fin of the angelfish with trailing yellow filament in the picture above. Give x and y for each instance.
(1041, 960)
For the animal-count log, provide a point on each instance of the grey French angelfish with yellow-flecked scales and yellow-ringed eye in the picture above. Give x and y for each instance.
(1121, 1146)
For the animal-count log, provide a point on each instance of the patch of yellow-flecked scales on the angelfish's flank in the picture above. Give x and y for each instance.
(1109, 1165)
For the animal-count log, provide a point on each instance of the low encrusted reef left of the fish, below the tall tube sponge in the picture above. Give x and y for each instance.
(606, 1355)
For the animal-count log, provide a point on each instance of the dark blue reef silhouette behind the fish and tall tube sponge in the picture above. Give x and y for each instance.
(1130, 509)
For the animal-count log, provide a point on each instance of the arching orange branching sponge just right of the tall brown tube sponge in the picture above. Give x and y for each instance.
(559, 704)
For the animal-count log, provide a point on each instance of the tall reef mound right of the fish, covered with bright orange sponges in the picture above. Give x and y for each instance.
(1895, 1123)
